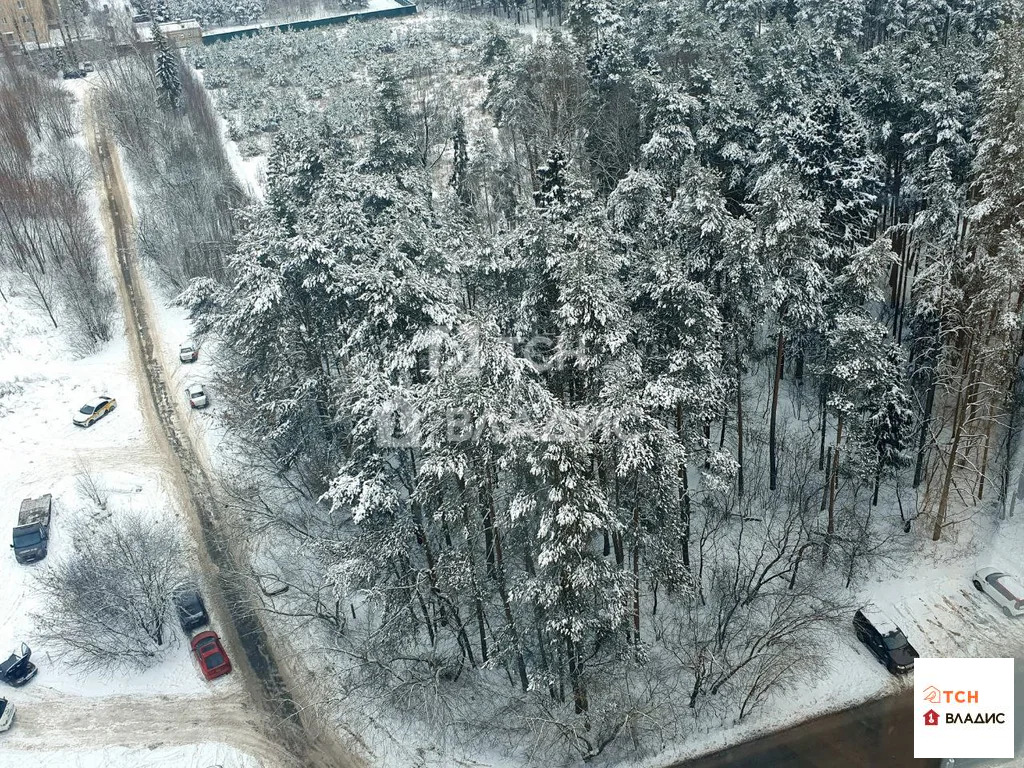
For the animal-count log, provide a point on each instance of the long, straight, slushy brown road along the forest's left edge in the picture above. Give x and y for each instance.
(283, 716)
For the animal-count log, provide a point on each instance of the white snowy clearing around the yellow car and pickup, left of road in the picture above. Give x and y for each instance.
(44, 453)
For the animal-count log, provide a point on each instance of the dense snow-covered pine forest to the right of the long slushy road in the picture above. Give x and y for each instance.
(583, 377)
